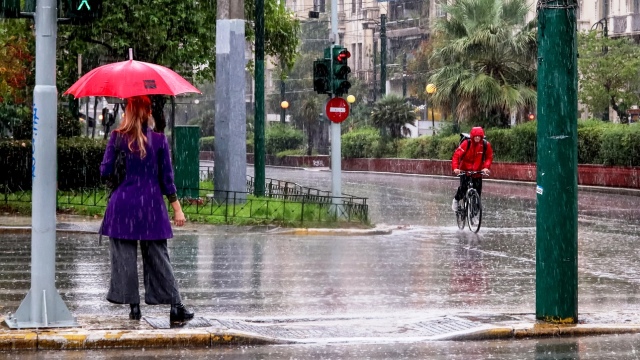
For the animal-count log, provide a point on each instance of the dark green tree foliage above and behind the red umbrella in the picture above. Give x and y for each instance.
(179, 34)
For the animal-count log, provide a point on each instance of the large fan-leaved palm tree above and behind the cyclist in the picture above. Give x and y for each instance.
(484, 60)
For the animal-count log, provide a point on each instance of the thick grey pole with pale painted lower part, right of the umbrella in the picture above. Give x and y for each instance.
(230, 170)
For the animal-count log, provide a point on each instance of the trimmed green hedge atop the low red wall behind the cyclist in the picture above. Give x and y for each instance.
(598, 143)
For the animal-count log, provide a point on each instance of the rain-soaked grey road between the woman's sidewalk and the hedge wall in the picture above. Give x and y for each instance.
(428, 266)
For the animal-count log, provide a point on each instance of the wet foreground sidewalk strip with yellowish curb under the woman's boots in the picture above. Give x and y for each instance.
(207, 331)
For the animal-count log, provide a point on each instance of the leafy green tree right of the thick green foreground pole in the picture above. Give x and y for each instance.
(609, 74)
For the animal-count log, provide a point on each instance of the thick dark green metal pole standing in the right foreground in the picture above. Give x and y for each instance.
(557, 168)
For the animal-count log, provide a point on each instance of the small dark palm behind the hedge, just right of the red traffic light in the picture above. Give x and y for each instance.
(392, 112)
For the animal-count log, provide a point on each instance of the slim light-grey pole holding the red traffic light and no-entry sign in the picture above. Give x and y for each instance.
(336, 151)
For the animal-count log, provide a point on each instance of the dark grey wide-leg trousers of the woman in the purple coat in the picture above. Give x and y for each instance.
(159, 283)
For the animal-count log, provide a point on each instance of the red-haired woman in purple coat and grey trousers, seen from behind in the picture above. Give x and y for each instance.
(136, 213)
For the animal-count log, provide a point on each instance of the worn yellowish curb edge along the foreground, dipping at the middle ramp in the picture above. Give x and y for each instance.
(80, 339)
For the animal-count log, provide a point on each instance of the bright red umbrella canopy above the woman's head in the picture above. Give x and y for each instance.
(130, 78)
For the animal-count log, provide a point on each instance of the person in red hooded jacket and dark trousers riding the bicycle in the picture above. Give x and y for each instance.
(474, 154)
